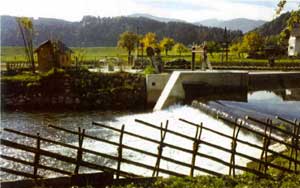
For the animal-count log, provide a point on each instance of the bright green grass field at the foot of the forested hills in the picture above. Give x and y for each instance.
(9, 54)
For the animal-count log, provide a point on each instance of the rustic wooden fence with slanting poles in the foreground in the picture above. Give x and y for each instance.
(261, 169)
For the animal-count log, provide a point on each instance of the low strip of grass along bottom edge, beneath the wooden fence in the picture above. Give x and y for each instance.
(241, 181)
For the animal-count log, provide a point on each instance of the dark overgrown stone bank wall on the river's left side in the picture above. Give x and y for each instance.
(79, 90)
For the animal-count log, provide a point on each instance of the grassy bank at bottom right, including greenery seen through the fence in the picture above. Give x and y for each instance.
(276, 179)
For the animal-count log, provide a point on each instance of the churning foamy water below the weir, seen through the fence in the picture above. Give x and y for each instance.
(171, 114)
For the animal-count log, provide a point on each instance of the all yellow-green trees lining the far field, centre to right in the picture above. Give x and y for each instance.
(252, 43)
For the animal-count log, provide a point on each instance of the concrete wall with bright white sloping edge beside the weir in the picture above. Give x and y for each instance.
(168, 89)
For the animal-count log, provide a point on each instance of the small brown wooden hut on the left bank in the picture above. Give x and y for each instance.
(53, 53)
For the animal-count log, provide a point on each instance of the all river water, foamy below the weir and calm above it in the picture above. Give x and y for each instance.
(258, 102)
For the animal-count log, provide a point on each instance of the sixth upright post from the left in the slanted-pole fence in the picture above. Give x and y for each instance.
(233, 147)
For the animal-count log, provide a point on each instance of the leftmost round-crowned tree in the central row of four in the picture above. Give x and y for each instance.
(128, 41)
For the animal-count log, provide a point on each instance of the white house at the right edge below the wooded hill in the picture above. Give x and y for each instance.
(294, 42)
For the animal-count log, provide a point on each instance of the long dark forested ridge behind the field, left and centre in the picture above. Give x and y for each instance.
(95, 31)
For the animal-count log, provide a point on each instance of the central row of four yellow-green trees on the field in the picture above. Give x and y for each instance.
(130, 41)
